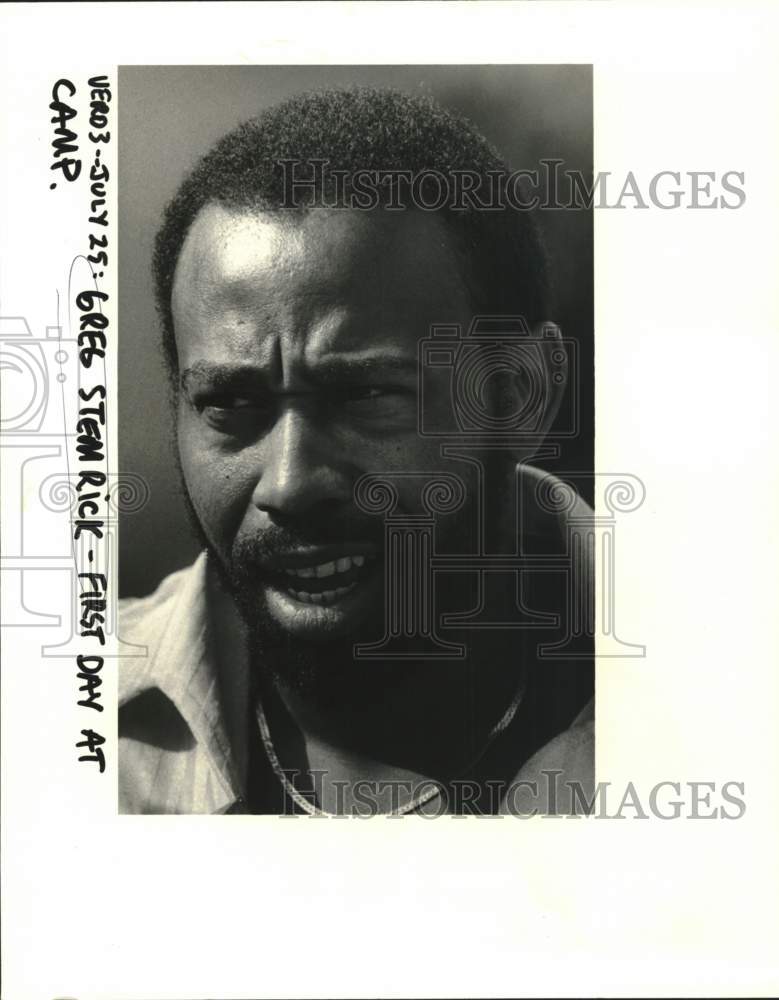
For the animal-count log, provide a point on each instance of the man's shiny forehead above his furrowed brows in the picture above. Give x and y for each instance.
(244, 277)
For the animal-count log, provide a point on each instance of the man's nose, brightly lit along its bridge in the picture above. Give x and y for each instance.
(299, 469)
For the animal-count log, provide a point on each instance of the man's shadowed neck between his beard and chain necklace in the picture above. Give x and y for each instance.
(420, 717)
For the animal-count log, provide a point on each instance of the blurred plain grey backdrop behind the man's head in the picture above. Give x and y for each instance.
(169, 115)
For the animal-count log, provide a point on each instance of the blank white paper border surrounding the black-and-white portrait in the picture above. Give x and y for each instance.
(687, 346)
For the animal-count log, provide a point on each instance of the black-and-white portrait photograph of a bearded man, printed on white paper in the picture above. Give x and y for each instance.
(368, 439)
